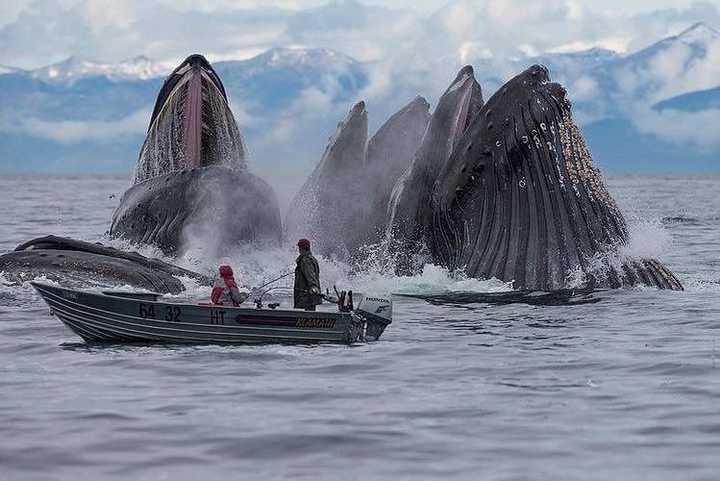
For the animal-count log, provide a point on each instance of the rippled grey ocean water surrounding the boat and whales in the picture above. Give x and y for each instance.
(614, 385)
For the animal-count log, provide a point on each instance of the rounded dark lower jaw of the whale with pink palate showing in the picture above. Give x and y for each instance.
(224, 206)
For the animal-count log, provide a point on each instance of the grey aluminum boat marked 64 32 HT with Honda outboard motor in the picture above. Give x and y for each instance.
(128, 317)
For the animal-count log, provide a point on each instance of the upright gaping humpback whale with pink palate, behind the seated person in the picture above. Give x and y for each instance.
(191, 177)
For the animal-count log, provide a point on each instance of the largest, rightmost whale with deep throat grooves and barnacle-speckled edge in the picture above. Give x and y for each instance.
(520, 200)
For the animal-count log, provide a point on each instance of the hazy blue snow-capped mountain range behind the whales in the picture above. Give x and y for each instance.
(650, 110)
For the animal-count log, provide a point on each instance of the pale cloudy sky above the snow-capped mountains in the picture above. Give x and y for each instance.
(34, 33)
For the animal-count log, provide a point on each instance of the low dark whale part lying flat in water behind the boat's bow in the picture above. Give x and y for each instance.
(77, 262)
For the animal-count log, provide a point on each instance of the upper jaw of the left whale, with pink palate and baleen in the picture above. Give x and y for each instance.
(191, 125)
